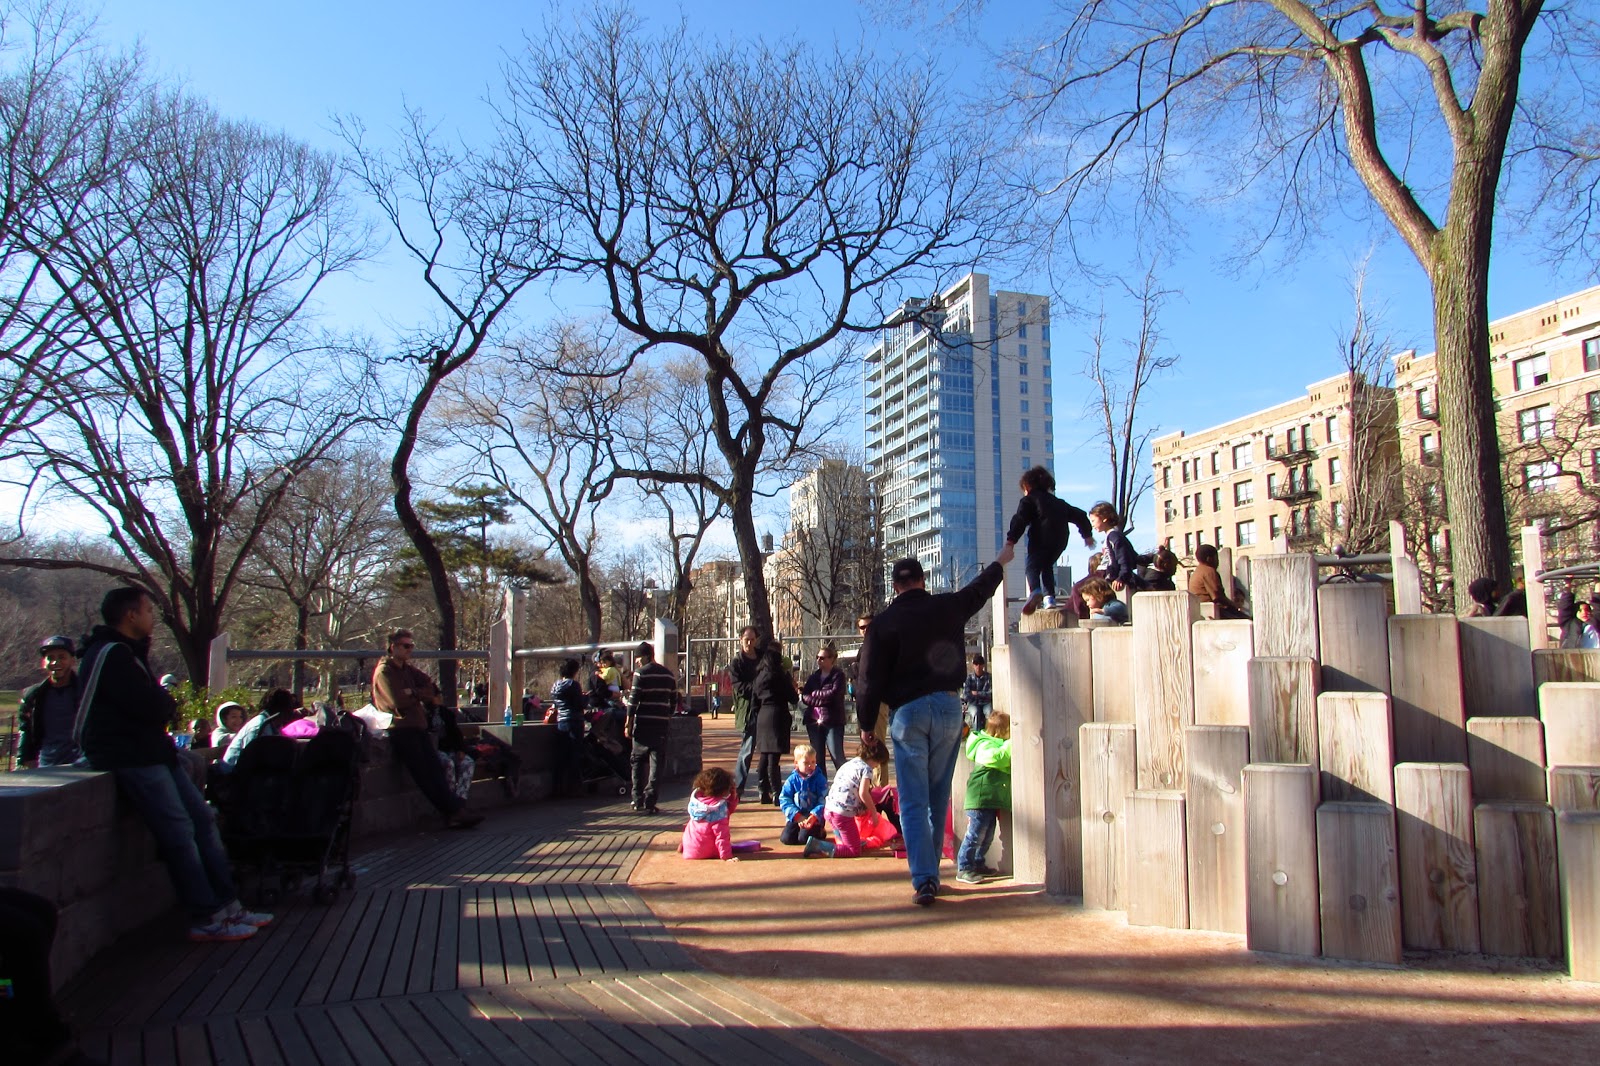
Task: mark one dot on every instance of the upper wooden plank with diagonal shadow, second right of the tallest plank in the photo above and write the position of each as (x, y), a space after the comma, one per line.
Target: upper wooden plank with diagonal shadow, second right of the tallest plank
(1425, 671)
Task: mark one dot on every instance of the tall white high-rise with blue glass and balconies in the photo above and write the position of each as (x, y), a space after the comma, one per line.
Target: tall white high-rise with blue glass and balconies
(959, 404)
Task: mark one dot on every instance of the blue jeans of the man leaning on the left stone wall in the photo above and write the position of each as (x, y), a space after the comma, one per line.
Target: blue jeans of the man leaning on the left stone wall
(185, 828)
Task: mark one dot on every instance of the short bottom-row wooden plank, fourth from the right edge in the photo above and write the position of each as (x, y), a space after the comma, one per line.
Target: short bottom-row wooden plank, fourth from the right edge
(1359, 883)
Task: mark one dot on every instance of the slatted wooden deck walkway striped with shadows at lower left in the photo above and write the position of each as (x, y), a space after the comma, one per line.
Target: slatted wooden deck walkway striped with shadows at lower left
(514, 944)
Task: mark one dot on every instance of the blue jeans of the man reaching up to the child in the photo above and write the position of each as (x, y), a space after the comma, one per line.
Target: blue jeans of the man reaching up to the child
(927, 734)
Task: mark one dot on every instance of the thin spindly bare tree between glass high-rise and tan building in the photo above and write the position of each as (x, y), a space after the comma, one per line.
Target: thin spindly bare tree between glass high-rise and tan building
(1119, 387)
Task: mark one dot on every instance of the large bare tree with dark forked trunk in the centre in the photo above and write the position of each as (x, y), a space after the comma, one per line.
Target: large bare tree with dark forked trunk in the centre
(756, 207)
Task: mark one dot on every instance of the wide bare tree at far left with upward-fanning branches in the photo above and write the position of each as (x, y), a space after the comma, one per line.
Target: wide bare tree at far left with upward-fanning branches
(185, 406)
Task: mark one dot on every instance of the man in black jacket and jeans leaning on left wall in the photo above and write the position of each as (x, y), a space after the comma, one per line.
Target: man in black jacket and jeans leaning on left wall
(122, 727)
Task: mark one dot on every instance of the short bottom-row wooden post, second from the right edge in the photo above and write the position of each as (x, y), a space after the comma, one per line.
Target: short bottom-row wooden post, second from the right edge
(1519, 886)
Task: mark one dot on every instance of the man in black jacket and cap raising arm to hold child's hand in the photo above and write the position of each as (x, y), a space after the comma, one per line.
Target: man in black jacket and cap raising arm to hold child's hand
(914, 660)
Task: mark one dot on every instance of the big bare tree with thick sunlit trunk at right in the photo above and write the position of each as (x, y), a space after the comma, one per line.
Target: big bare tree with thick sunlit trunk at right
(1423, 103)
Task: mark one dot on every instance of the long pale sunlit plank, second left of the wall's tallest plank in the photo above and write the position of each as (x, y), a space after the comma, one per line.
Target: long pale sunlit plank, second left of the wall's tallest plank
(1164, 686)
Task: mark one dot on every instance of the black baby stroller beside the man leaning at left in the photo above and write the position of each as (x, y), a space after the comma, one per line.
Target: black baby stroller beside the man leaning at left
(287, 809)
